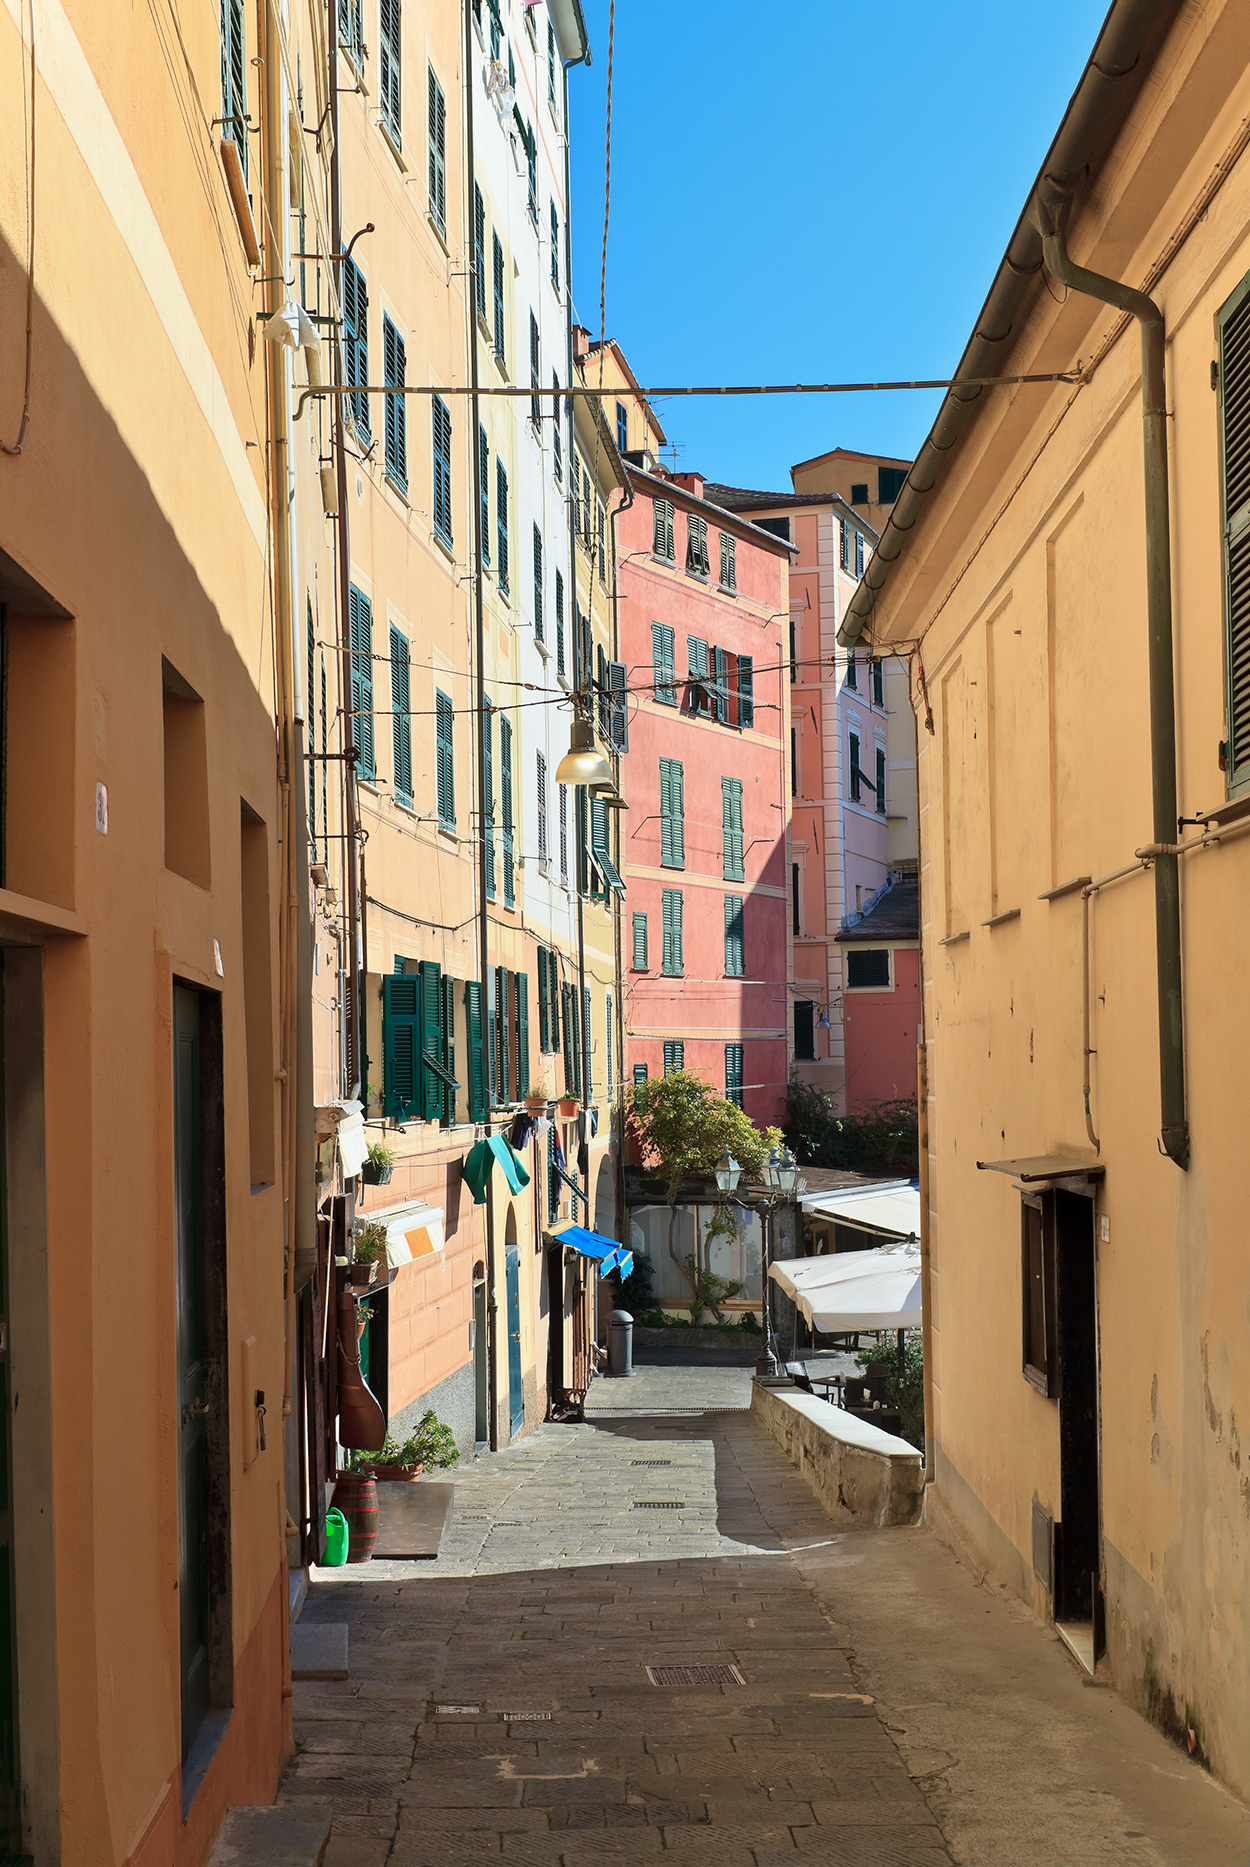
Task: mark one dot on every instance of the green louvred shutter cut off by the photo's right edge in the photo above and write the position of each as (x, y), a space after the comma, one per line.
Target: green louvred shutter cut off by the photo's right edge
(1234, 339)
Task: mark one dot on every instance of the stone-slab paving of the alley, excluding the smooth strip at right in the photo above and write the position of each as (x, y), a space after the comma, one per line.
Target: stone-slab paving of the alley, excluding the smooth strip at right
(499, 1704)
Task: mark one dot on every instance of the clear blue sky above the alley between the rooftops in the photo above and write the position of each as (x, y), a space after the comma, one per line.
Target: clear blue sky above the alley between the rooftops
(803, 197)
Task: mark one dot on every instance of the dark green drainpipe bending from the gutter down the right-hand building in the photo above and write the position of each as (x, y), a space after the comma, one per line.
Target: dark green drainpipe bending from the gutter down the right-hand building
(1053, 225)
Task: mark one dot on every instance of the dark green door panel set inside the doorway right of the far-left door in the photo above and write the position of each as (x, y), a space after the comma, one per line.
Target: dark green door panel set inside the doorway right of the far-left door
(193, 1452)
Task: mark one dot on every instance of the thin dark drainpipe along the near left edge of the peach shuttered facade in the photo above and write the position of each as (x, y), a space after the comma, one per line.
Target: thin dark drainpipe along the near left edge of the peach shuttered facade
(352, 895)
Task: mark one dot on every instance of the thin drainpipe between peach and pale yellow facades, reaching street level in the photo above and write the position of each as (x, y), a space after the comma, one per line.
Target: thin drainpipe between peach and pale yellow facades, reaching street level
(480, 705)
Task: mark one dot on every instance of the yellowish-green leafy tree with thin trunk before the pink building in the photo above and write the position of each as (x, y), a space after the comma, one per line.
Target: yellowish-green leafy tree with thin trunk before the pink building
(684, 1127)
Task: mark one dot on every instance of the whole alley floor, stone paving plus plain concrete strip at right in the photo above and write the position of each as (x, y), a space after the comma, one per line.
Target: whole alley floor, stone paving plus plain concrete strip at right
(861, 1700)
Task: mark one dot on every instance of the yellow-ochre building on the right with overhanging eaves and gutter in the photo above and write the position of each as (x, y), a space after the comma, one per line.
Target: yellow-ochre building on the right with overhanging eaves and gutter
(1081, 718)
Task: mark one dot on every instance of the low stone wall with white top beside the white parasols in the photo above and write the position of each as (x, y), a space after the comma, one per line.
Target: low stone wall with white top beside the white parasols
(865, 1478)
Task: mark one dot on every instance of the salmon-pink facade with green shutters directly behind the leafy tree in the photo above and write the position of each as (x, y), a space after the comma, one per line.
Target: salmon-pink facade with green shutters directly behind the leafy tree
(704, 606)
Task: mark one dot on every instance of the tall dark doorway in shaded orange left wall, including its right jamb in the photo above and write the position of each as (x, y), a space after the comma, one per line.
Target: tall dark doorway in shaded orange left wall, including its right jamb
(206, 1648)
